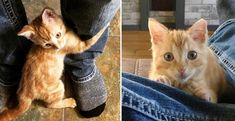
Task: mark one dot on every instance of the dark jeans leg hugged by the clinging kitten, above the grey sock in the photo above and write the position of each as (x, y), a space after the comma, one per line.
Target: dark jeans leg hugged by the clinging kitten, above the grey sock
(86, 18)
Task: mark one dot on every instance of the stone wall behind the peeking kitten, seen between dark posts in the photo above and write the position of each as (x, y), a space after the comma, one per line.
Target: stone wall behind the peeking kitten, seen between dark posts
(194, 10)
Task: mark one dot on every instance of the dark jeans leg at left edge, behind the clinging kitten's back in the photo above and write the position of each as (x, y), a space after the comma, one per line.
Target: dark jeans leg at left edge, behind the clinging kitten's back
(13, 49)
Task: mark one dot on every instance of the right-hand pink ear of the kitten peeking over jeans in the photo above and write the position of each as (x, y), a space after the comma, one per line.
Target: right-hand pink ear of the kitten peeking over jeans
(198, 31)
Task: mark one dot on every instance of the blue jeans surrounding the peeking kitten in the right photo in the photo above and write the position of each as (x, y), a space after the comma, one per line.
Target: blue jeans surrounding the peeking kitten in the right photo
(146, 100)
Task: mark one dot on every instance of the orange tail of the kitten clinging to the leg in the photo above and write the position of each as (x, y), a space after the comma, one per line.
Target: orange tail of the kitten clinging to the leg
(11, 114)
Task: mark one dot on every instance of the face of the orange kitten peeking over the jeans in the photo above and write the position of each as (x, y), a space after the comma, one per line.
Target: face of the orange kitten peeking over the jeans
(180, 55)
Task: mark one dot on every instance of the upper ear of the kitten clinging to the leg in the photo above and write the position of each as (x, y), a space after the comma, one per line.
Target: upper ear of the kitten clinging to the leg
(48, 15)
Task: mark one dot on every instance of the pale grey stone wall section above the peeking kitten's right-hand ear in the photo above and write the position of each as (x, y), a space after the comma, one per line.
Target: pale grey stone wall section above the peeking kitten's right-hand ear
(196, 9)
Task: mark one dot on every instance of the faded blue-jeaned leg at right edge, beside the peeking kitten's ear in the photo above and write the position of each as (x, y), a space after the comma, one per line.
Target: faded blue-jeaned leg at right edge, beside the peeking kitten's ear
(222, 41)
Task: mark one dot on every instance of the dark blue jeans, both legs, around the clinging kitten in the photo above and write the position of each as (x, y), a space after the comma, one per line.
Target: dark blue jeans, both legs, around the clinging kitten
(76, 14)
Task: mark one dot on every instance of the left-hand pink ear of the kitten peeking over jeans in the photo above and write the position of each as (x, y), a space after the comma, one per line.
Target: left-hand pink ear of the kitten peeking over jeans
(157, 31)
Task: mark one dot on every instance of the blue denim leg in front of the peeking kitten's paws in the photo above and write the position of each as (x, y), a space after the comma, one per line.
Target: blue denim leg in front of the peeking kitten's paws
(146, 100)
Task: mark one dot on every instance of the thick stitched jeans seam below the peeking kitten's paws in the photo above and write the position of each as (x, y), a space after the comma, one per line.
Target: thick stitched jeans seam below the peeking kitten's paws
(163, 113)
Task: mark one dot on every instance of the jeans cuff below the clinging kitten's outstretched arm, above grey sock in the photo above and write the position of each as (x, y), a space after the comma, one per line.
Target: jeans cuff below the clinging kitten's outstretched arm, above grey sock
(82, 65)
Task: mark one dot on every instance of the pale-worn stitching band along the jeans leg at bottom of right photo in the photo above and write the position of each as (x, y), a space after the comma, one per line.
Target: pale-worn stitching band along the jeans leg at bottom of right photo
(152, 110)
